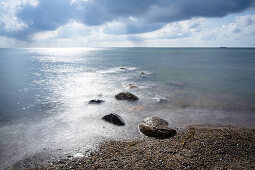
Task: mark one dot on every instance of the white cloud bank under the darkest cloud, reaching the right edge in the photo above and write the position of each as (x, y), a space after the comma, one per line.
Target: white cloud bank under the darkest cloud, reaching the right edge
(198, 33)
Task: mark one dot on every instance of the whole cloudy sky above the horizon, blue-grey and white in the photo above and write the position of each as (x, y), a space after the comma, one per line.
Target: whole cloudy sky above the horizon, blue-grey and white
(118, 23)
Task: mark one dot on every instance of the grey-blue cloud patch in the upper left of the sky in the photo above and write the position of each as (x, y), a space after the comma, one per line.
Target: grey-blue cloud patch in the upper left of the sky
(47, 15)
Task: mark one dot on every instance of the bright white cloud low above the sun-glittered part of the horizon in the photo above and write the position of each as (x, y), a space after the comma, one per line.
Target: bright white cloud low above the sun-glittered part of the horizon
(76, 34)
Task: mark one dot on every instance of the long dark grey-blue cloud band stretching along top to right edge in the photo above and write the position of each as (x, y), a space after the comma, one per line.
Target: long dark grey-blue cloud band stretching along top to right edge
(97, 12)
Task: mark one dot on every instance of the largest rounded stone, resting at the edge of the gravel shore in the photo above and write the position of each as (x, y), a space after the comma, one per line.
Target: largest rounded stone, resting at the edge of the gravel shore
(156, 127)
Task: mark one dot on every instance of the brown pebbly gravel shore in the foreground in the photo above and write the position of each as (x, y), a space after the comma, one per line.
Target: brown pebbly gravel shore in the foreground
(195, 147)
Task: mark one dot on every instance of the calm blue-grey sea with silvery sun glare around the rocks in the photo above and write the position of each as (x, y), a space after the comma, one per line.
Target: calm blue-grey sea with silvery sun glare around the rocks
(44, 93)
